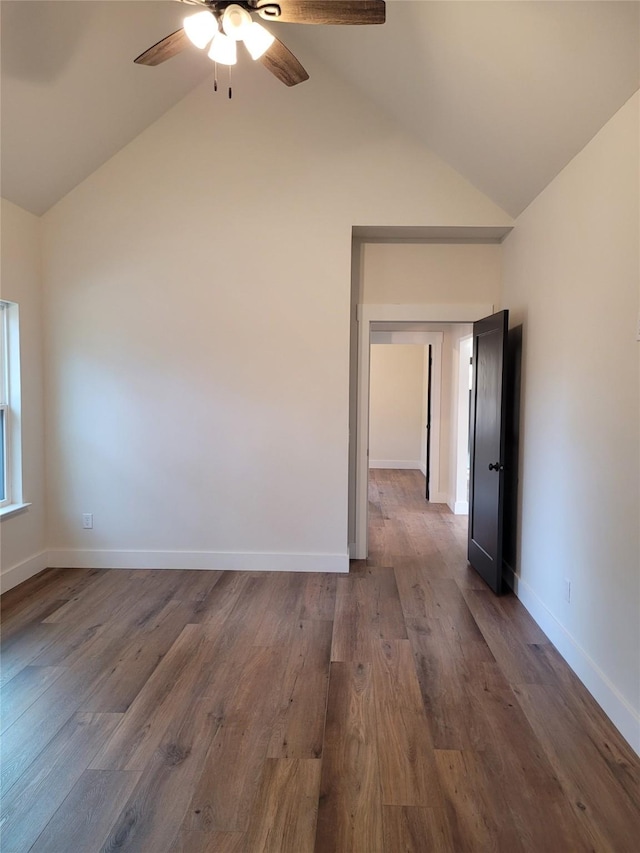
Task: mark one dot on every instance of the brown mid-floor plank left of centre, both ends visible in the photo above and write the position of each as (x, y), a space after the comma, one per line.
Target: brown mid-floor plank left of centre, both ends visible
(298, 729)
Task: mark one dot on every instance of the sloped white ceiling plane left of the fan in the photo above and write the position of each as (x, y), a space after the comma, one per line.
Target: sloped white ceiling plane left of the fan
(70, 96)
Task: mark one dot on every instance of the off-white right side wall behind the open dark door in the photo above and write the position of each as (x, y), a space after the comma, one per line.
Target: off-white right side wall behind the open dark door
(571, 278)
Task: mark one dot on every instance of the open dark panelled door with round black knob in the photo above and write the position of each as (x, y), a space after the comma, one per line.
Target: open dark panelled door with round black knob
(487, 444)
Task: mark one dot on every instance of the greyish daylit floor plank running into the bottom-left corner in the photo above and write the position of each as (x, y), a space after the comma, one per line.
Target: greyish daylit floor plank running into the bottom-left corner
(34, 799)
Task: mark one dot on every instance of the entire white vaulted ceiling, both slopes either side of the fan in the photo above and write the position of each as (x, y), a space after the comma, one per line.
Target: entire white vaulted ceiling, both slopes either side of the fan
(506, 92)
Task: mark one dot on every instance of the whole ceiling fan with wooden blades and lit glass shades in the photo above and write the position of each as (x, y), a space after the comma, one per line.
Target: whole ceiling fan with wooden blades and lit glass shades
(221, 24)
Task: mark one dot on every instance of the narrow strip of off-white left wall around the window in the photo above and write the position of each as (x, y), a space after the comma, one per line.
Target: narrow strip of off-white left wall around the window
(23, 535)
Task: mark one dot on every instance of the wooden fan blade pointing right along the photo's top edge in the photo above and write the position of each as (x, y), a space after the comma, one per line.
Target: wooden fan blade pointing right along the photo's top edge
(324, 11)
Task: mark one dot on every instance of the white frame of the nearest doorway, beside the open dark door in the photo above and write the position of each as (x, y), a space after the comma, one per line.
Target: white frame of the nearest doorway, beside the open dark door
(366, 315)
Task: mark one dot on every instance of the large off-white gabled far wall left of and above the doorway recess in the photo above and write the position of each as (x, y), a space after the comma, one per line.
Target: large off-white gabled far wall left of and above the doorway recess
(197, 294)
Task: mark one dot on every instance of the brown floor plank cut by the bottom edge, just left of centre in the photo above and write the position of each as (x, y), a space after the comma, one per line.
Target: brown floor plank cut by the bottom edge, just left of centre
(284, 818)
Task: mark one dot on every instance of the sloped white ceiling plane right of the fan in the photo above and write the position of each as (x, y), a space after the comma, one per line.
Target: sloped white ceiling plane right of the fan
(507, 93)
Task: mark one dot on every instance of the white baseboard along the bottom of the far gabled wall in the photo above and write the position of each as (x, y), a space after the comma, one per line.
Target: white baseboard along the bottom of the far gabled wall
(201, 560)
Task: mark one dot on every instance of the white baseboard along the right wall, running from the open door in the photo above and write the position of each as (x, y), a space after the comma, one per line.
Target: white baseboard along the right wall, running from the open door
(624, 717)
